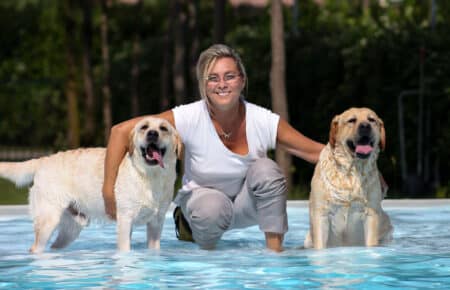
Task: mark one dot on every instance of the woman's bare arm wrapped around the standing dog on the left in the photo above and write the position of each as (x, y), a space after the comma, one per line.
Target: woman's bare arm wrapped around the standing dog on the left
(115, 151)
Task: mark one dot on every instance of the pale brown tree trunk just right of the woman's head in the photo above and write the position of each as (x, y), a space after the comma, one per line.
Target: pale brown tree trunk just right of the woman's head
(277, 81)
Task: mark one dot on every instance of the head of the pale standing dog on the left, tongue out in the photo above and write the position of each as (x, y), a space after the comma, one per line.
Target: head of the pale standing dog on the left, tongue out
(156, 141)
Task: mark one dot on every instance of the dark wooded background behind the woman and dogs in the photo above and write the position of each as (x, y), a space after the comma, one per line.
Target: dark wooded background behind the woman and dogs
(70, 69)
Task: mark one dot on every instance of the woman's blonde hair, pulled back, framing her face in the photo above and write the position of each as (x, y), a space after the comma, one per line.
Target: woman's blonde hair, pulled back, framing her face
(208, 58)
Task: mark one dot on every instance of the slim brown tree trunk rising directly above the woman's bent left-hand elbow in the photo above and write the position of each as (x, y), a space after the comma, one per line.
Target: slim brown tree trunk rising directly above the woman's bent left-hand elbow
(106, 90)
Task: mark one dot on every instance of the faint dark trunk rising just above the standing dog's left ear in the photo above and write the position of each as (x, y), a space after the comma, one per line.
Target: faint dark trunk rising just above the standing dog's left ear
(135, 70)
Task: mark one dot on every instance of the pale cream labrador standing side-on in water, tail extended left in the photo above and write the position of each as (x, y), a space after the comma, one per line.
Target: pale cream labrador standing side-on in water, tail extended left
(66, 190)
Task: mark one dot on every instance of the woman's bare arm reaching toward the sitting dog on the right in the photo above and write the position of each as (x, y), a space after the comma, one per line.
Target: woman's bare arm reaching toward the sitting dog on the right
(296, 143)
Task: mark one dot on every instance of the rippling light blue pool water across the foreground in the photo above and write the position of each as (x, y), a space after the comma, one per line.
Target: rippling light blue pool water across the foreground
(419, 258)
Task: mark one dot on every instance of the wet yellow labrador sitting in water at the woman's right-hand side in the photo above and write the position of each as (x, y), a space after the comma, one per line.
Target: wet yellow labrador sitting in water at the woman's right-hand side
(345, 200)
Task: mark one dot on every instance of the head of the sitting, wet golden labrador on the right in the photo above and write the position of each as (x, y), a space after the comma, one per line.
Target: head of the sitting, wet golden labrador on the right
(359, 130)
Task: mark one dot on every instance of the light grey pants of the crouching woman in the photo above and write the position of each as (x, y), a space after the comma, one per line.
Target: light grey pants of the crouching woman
(262, 201)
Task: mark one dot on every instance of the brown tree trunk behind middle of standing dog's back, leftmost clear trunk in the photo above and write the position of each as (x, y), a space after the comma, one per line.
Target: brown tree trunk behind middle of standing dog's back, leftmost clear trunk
(73, 133)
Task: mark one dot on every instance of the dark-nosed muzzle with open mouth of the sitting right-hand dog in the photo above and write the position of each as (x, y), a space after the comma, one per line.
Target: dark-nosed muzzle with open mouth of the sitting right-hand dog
(363, 144)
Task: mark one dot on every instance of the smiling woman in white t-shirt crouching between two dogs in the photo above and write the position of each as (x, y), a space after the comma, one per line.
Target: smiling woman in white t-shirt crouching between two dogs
(228, 180)
